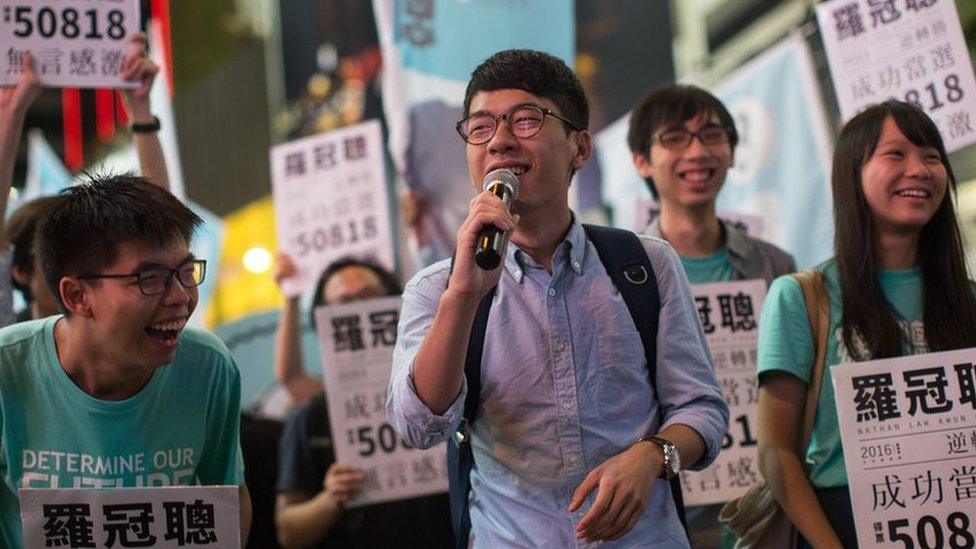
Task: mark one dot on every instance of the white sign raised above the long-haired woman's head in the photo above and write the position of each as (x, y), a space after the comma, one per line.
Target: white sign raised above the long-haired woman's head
(912, 50)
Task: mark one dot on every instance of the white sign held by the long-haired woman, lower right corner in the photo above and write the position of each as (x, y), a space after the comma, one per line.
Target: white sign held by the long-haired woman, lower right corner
(908, 428)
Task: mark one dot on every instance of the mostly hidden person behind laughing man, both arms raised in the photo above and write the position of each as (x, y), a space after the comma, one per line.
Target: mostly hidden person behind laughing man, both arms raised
(20, 228)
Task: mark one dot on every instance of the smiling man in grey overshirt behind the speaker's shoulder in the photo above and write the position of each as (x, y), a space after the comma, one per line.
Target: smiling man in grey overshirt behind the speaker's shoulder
(683, 140)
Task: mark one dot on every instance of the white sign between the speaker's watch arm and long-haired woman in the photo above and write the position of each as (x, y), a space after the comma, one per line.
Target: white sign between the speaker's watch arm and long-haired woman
(729, 313)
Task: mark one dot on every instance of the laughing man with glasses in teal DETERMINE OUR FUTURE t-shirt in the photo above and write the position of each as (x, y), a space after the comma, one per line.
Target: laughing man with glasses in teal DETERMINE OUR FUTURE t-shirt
(118, 377)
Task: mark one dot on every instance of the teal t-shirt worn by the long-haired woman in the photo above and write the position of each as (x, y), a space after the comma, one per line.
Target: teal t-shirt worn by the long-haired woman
(786, 344)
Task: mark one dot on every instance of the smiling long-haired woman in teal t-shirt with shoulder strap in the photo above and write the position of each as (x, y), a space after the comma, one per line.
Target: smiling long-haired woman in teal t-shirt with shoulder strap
(898, 286)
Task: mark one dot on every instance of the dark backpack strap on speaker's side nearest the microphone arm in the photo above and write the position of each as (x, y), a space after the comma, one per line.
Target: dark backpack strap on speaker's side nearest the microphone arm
(460, 458)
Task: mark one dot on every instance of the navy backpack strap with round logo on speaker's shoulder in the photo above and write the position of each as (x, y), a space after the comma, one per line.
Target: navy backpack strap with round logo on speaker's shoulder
(626, 261)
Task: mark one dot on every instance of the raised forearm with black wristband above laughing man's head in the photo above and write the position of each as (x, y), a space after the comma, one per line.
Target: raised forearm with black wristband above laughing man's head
(139, 68)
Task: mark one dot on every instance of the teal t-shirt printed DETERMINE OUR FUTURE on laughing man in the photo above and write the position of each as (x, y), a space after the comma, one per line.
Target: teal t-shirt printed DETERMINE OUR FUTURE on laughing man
(182, 428)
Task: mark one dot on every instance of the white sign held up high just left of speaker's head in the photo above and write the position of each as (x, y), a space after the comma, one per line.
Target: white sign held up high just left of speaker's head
(331, 201)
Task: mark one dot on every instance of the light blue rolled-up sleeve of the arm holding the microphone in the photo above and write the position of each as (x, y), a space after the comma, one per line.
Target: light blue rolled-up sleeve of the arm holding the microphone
(408, 415)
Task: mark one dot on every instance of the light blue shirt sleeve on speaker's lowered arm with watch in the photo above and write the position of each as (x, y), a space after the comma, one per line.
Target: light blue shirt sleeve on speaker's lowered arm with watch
(687, 386)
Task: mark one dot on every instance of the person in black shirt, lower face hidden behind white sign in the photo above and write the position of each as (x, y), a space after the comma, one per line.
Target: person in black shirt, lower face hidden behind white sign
(312, 486)
